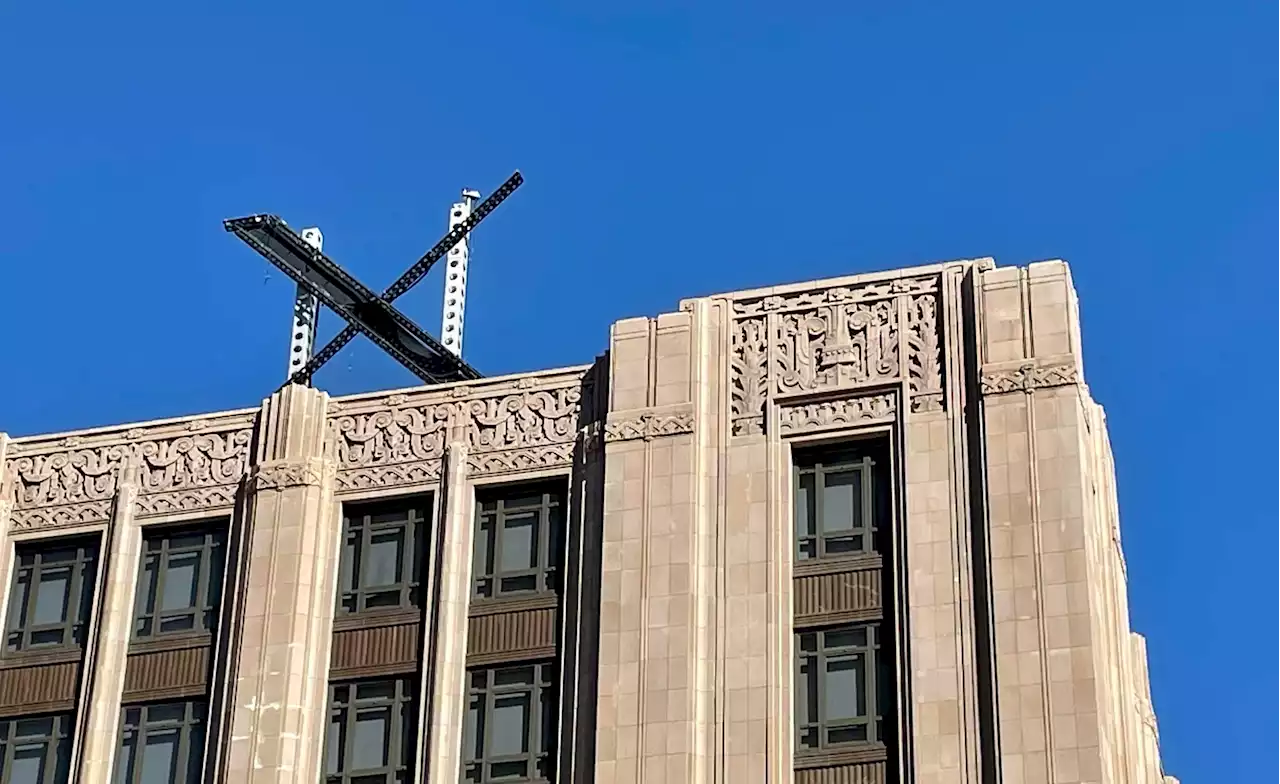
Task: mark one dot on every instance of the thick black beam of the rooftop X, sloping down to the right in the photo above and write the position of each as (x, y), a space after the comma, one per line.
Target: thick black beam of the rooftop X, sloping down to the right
(368, 313)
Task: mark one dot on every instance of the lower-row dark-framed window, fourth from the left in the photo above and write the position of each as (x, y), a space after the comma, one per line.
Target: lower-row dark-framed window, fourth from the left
(510, 732)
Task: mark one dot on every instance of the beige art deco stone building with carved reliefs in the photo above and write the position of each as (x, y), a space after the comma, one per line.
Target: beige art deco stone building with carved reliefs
(844, 532)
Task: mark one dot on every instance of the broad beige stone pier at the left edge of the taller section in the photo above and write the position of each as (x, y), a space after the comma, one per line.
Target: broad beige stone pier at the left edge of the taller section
(656, 676)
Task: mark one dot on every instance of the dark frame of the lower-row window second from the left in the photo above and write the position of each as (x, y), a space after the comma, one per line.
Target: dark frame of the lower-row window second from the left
(135, 733)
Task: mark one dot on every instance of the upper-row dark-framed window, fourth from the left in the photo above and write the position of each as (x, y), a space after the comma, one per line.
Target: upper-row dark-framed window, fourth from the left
(518, 543)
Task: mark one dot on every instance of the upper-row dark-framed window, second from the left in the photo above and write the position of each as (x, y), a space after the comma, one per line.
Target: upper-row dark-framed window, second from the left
(181, 582)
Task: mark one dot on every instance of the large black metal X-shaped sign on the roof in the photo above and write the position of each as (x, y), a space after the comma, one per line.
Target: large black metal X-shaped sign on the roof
(364, 311)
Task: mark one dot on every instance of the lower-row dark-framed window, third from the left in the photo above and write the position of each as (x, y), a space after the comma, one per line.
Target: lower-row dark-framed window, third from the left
(372, 739)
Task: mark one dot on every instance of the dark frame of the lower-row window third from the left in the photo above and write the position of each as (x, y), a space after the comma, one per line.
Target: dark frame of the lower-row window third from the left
(401, 742)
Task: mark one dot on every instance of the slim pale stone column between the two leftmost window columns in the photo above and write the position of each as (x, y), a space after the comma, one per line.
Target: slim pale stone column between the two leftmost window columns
(109, 660)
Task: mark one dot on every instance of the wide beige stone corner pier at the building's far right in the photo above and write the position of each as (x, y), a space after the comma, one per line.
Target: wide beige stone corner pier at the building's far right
(1062, 621)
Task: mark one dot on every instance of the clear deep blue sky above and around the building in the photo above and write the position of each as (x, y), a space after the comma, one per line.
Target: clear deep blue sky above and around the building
(673, 153)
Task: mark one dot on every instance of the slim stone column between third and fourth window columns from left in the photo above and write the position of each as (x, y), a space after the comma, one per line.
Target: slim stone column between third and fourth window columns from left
(449, 669)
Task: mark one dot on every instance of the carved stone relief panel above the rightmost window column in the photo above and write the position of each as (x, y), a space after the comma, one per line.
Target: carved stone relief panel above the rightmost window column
(843, 338)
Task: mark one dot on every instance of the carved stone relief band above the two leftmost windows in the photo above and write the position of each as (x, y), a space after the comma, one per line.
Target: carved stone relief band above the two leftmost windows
(193, 466)
